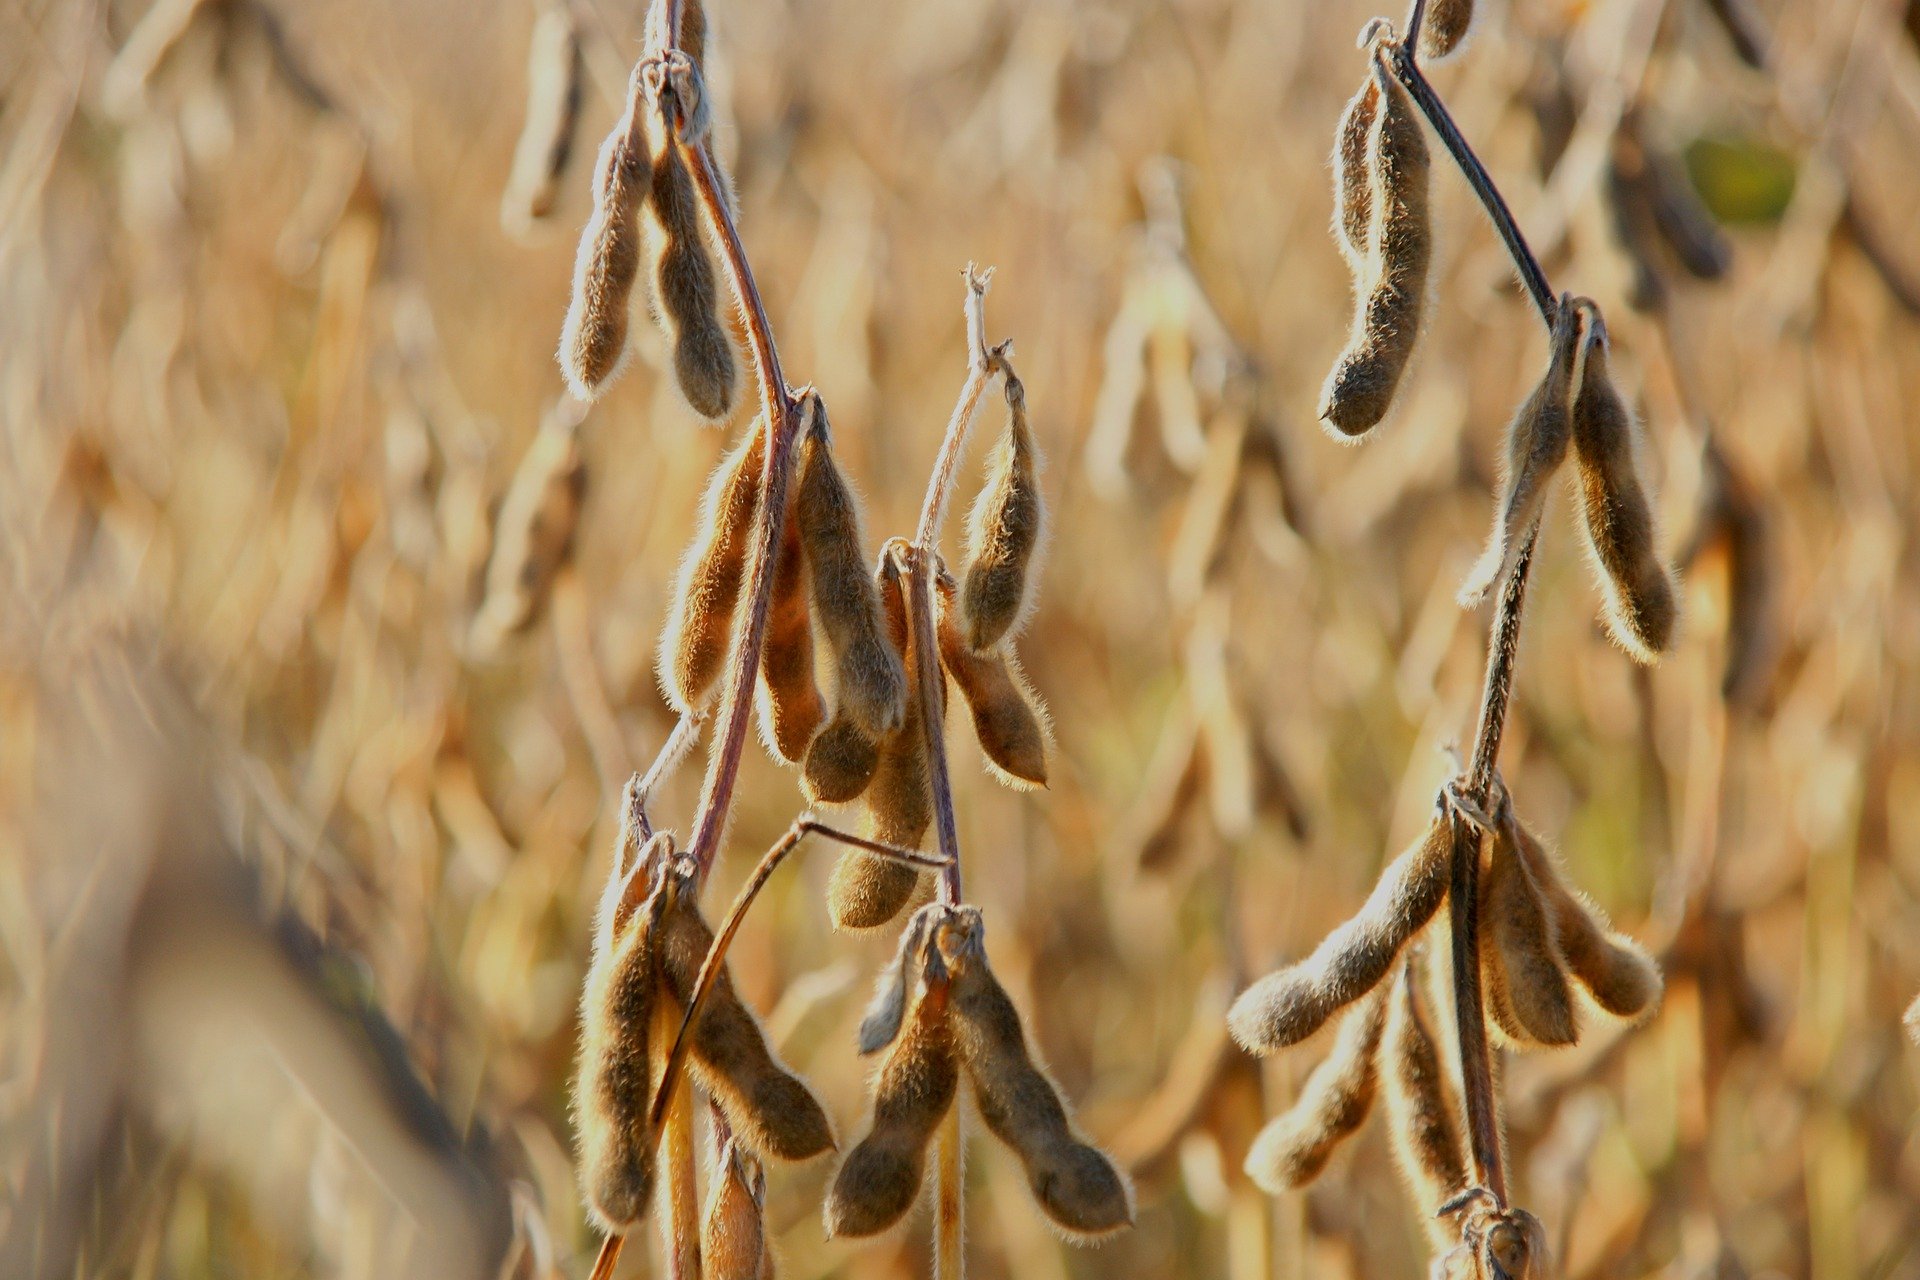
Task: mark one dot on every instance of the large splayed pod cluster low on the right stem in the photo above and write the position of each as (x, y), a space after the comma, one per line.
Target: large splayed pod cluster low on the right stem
(1547, 953)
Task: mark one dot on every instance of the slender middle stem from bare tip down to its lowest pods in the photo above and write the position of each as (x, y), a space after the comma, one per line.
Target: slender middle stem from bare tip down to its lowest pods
(924, 563)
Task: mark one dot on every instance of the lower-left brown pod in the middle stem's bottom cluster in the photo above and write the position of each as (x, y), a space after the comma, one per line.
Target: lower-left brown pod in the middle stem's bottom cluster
(917, 1087)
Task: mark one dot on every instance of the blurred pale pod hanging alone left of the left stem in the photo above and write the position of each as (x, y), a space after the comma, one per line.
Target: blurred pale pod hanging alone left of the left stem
(535, 533)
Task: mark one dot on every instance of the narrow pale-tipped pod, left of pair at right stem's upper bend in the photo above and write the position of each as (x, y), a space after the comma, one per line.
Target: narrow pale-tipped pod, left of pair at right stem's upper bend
(1537, 444)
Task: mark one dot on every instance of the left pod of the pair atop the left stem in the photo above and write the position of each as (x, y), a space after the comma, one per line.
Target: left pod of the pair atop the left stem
(608, 262)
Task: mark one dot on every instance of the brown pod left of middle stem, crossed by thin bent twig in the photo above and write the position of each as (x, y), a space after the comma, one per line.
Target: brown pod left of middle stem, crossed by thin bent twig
(867, 891)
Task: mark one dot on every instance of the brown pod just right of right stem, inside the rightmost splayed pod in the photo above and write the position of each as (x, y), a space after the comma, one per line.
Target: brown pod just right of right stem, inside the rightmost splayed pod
(1524, 970)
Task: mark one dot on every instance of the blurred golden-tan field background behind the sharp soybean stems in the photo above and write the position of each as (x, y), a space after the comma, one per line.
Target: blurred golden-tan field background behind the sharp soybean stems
(299, 861)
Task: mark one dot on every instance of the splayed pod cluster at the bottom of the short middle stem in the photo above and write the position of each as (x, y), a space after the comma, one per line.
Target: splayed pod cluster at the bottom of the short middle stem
(940, 1014)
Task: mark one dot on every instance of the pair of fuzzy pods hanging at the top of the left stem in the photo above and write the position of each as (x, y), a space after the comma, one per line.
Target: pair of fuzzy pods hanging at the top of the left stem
(648, 210)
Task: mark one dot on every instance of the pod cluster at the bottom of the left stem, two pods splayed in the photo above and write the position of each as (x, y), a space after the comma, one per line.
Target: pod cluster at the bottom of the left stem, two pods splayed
(648, 953)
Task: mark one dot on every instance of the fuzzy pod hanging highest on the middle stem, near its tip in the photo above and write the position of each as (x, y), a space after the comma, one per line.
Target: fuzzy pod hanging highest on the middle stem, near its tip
(1005, 533)
